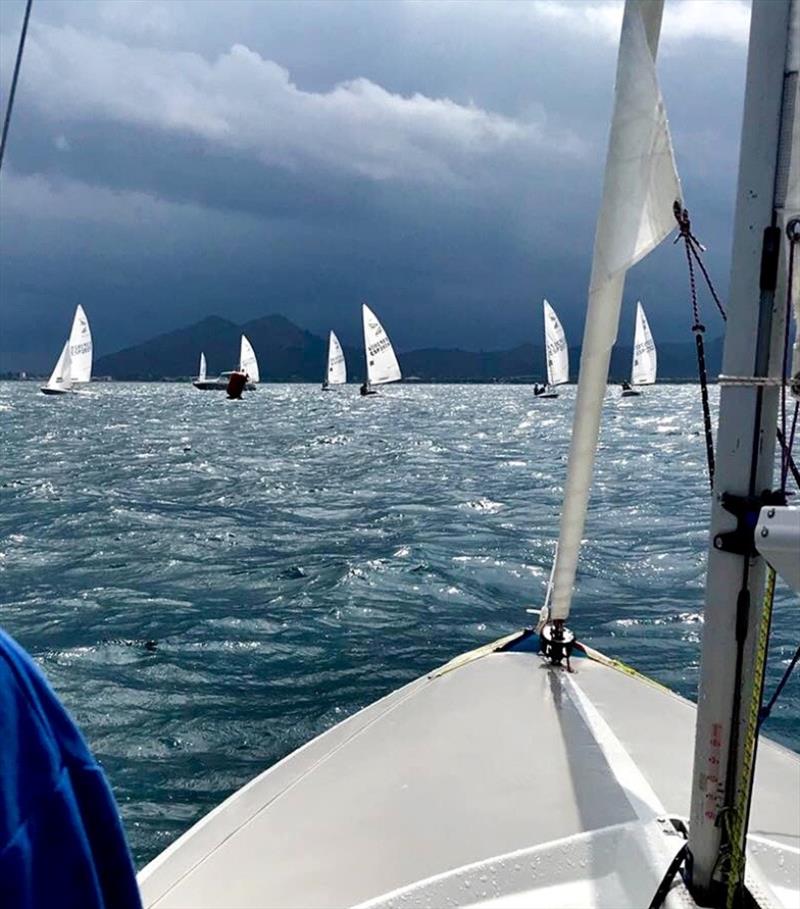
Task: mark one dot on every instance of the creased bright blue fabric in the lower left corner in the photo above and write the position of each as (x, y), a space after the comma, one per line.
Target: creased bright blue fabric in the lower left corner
(61, 839)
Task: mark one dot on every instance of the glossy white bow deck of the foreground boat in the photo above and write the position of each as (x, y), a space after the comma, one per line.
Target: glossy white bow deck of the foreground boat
(500, 755)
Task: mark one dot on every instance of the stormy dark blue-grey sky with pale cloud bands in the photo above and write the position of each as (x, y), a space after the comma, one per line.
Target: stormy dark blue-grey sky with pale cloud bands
(170, 159)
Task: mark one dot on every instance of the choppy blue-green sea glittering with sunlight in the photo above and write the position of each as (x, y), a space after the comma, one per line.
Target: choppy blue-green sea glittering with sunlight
(298, 554)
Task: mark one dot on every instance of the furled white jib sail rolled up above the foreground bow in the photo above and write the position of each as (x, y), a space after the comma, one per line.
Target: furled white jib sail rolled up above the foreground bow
(640, 188)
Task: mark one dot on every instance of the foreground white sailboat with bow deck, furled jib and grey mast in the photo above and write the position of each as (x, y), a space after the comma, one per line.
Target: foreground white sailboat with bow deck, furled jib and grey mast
(500, 780)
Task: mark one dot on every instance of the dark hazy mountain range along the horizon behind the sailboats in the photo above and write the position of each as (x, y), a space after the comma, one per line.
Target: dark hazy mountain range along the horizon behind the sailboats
(288, 353)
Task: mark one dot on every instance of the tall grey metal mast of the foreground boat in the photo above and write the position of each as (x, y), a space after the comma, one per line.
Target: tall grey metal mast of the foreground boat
(745, 442)
